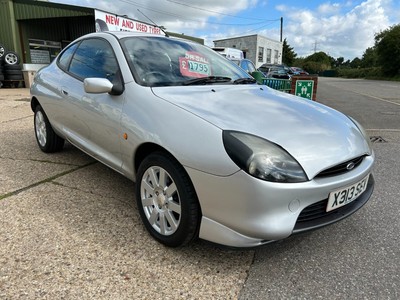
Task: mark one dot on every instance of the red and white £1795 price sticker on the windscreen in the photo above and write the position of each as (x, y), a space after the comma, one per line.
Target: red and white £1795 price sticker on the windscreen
(194, 65)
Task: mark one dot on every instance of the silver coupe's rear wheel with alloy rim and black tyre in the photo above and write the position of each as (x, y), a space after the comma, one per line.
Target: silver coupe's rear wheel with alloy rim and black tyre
(46, 138)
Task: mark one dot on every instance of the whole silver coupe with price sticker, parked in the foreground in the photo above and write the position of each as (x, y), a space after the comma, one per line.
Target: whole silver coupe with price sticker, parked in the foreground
(213, 154)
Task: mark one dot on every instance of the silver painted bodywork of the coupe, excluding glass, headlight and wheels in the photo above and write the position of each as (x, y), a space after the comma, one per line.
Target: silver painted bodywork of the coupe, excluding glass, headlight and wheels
(187, 121)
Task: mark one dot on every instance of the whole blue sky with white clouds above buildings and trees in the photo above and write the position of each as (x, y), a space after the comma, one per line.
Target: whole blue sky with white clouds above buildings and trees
(339, 28)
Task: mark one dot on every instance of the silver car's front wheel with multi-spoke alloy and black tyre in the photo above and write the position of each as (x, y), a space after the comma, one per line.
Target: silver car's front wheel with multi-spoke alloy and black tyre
(167, 201)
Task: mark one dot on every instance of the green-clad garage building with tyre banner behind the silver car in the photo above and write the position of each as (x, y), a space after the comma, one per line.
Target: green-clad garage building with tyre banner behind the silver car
(38, 30)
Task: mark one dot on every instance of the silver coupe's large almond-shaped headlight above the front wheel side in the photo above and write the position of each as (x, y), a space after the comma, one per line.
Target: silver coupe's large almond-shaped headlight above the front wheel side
(262, 159)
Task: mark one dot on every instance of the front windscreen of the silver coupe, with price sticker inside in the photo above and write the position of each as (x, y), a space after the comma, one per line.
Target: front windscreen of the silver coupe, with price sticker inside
(162, 61)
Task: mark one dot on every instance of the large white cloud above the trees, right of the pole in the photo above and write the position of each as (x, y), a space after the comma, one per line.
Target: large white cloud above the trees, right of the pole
(335, 29)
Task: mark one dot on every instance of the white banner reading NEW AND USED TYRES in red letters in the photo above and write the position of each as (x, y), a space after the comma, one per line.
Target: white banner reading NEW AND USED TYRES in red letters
(110, 22)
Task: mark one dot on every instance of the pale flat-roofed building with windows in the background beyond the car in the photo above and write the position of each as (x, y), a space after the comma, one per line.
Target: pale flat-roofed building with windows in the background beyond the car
(257, 48)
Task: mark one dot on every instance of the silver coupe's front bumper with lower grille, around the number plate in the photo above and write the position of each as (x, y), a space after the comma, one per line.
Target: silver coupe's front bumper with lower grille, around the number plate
(243, 211)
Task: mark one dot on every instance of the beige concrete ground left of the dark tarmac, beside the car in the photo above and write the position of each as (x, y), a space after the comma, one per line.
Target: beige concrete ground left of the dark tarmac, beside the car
(69, 229)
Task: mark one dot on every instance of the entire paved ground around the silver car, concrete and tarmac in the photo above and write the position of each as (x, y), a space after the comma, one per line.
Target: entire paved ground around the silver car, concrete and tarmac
(69, 226)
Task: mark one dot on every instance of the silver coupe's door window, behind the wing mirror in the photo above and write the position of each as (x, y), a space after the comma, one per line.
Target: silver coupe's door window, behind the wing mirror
(94, 58)
